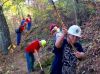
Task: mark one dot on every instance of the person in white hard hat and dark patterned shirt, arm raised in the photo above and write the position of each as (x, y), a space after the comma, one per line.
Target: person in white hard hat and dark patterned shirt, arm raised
(70, 57)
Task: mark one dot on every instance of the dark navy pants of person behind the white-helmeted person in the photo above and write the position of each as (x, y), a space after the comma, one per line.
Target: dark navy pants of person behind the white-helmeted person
(56, 67)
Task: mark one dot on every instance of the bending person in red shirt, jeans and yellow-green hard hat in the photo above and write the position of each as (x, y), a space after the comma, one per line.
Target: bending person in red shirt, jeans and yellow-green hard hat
(30, 50)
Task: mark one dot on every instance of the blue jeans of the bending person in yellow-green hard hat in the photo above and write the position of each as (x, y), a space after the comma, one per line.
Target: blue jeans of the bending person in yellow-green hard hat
(30, 61)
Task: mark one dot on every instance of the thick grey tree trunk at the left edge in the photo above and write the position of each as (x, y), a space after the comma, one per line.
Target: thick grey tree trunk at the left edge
(5, 40)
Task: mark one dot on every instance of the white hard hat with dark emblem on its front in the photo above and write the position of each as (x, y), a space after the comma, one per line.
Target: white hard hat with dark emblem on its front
(75, 30)
